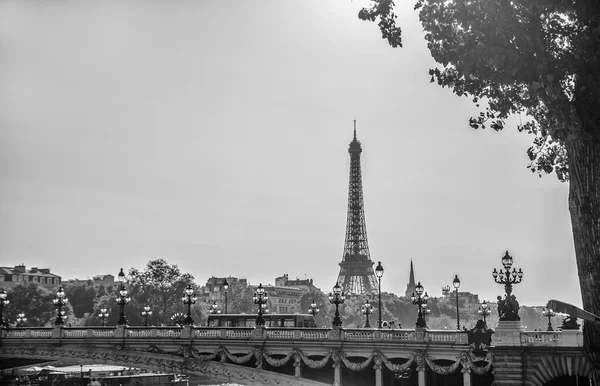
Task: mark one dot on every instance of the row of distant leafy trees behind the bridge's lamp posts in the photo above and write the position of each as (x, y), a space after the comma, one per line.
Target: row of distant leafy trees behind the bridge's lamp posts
(161, 286)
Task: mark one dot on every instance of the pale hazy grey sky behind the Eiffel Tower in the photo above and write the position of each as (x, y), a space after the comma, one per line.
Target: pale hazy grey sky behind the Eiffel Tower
(214, 134)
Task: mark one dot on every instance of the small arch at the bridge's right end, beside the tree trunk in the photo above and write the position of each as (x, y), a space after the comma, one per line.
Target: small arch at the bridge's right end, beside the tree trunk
(548, 368)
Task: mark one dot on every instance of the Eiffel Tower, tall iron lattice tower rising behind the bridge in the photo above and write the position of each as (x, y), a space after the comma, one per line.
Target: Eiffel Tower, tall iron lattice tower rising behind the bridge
(356, 269)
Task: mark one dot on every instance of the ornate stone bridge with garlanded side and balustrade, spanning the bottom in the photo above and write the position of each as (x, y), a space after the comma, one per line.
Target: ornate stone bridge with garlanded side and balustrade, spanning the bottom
(305, 356)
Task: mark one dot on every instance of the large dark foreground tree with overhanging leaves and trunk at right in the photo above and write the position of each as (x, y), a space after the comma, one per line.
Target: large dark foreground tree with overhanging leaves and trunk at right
(540, 59)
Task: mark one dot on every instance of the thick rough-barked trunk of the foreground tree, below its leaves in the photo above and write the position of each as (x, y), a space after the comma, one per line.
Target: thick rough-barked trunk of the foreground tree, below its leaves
(584, 206)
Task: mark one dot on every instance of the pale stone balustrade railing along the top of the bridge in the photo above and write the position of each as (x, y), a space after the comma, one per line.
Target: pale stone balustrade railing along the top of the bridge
(516, 337)
